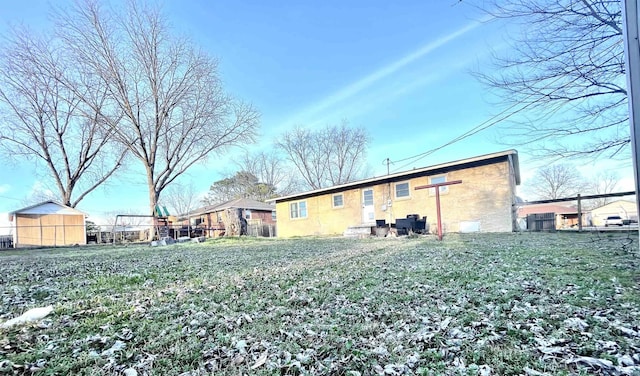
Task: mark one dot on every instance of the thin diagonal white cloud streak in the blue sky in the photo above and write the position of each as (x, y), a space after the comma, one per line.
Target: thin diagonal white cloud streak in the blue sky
(358, 86)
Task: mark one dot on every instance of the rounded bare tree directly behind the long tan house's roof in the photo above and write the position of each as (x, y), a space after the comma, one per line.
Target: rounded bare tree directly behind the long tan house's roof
(330, 156)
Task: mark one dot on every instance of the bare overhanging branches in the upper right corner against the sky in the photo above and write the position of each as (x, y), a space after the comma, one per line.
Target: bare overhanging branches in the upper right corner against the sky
(565, 72)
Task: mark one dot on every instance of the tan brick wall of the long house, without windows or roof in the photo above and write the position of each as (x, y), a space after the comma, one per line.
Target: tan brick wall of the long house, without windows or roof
(486, 196)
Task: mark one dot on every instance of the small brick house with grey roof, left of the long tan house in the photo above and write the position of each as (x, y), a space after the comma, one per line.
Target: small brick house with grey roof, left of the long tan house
(212, 218)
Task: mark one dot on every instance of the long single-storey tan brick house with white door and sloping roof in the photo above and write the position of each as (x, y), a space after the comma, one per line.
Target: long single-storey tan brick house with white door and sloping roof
(485, 201)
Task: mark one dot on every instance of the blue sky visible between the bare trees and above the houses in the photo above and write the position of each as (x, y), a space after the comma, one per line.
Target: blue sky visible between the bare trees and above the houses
(399, 69)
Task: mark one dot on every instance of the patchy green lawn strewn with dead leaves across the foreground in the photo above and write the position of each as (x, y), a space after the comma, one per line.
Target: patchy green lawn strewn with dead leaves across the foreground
(509, 304)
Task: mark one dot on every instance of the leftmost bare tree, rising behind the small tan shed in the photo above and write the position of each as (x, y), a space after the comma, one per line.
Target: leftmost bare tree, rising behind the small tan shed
(46, 121)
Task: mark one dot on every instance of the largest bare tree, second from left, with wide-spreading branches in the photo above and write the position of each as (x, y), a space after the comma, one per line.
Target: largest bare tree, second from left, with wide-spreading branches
(175, 111)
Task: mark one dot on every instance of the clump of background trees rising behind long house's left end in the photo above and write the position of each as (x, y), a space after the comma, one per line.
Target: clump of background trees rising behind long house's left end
(302, 159)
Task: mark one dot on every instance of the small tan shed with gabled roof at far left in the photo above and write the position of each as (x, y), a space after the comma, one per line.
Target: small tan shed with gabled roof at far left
(48, 224)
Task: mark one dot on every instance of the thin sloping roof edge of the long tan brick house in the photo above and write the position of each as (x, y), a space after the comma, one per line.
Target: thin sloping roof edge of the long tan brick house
(511, 155)
